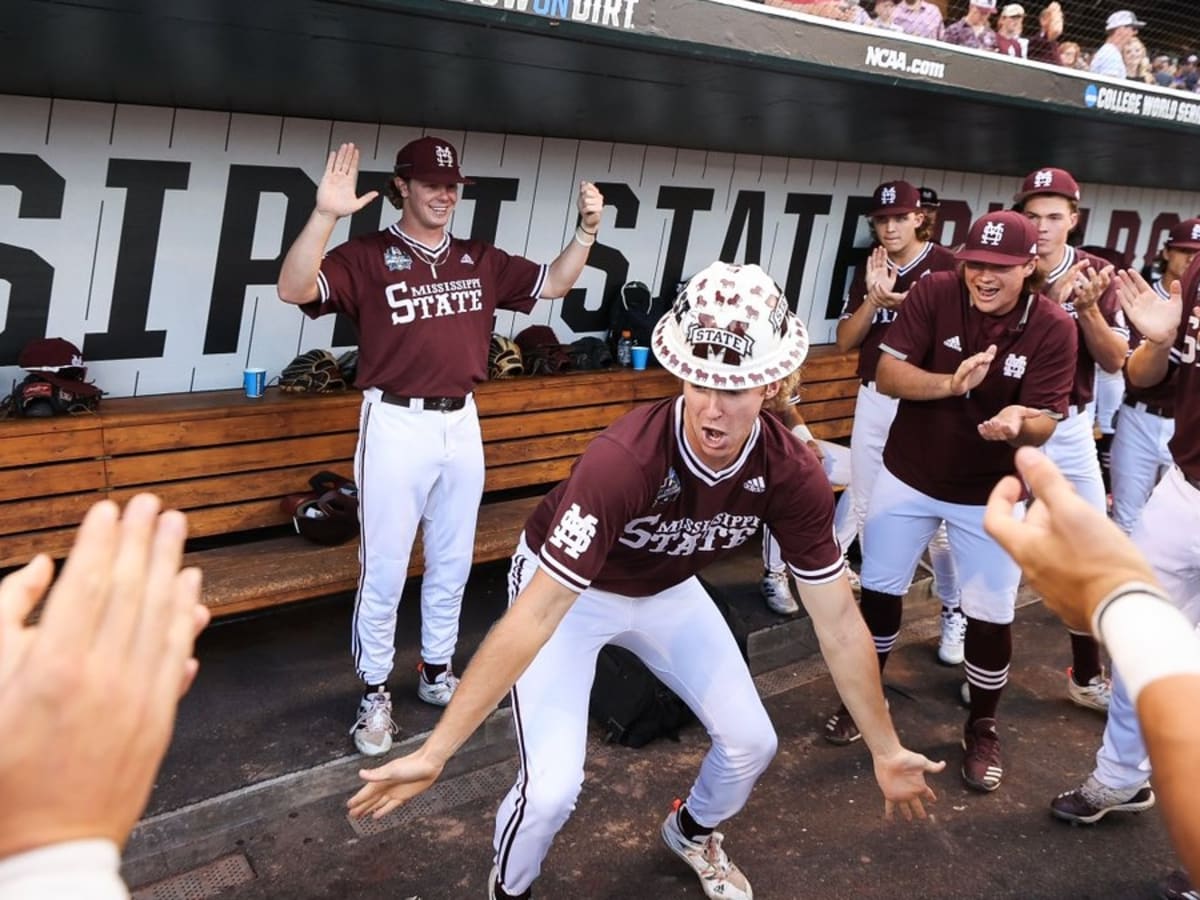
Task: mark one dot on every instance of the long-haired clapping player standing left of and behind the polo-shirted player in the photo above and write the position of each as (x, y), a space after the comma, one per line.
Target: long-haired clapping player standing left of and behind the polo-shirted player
(904, 255)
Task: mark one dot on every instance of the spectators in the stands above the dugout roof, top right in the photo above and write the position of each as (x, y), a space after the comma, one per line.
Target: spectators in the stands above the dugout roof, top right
(989, 26)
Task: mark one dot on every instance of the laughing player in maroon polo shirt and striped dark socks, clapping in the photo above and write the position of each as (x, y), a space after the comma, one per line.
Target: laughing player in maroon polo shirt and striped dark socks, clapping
(982, 363)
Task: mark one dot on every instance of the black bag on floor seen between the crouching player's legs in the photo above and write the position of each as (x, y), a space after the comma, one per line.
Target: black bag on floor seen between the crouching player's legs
(632, 705)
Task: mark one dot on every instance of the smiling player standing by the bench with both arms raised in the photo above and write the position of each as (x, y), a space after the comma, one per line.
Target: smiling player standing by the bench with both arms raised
(424, 304)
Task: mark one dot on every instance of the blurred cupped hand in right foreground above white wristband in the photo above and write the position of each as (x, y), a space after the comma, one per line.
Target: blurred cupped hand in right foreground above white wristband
(1071, 554)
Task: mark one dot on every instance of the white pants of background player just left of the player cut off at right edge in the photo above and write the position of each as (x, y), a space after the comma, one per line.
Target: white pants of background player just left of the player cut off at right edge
(1141, 458)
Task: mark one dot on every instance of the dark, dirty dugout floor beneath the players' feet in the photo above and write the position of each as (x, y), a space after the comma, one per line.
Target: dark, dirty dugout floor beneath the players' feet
(251, 801)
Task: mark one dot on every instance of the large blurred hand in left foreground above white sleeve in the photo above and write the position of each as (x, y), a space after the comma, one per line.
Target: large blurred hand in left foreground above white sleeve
(101, 675)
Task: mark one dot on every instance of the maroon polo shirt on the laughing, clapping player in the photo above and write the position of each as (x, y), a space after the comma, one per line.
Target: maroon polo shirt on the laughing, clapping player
(934, 446)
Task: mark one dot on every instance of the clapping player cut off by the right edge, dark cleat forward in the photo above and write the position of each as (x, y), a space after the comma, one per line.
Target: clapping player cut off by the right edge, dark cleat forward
(1166, 535)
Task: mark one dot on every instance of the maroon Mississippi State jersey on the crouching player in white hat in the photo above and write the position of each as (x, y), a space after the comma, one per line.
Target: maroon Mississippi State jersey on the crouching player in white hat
(641, 512)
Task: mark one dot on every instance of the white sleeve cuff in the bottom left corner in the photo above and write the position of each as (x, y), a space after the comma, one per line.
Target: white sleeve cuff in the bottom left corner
(64, 872)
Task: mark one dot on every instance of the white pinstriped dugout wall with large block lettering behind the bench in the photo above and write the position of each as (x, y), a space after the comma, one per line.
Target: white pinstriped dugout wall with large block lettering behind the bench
(152, 238)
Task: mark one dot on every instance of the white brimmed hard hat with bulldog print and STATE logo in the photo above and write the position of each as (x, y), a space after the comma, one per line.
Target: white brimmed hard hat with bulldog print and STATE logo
(730, 328)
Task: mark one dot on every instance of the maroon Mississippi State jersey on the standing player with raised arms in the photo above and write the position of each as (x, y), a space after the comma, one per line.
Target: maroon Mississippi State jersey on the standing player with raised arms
(424, 314)
